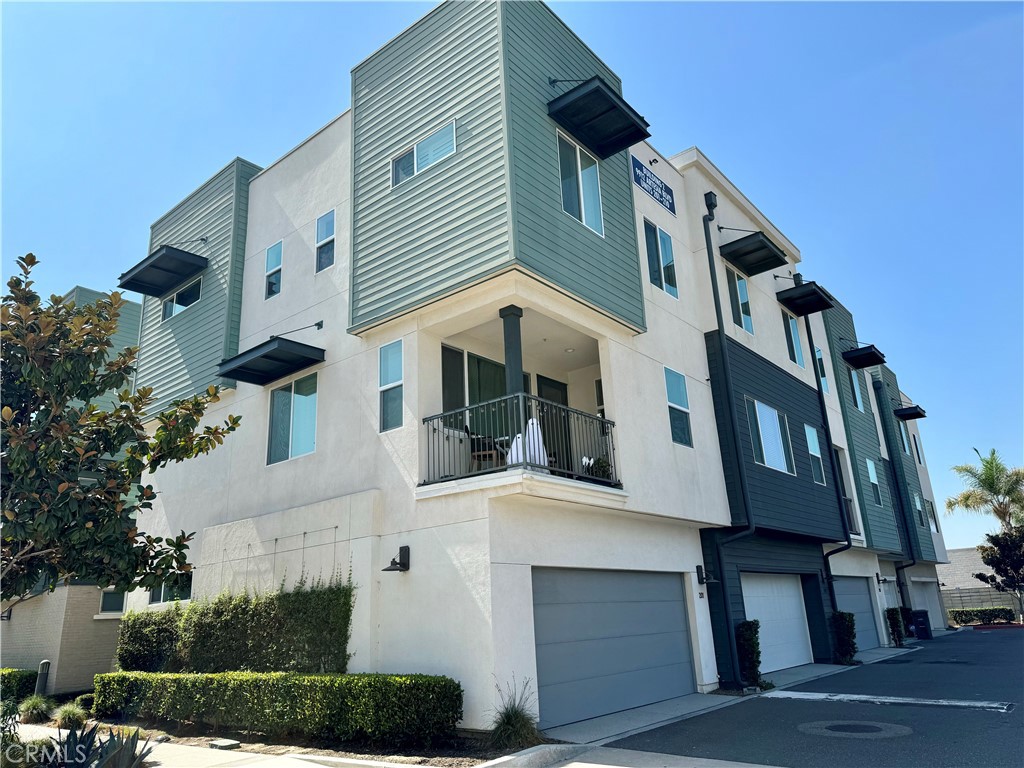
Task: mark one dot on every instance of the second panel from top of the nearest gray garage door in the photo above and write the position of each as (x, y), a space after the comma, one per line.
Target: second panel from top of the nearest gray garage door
(564, 623)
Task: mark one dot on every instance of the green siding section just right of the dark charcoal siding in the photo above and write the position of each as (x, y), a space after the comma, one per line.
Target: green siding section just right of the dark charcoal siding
(881, 531)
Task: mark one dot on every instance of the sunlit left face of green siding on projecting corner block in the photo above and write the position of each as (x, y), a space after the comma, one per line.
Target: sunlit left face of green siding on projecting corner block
(448, 226)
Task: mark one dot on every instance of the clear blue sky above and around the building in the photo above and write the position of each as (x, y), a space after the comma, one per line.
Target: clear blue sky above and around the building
(885, 140)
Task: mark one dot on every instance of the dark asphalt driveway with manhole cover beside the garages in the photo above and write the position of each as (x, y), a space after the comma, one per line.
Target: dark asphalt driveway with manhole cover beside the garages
(965, 667)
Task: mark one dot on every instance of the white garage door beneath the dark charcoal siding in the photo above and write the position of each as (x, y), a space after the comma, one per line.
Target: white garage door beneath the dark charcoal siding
(777, 601)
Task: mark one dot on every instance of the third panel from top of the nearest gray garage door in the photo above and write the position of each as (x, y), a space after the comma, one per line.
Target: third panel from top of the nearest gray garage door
(561, 663)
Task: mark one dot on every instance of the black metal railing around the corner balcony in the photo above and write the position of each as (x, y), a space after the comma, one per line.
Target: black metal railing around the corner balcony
(521, 431)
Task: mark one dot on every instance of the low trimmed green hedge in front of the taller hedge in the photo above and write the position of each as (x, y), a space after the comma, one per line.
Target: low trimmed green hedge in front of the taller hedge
(390, 710)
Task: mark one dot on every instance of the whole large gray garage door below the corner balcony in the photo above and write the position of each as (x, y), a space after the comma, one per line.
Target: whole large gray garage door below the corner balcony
(609, 641)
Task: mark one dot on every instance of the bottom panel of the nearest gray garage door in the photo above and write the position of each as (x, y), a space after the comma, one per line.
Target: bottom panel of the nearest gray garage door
(570, 703)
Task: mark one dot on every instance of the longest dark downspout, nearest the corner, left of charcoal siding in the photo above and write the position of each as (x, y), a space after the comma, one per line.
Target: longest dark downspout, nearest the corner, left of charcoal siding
(711, 203)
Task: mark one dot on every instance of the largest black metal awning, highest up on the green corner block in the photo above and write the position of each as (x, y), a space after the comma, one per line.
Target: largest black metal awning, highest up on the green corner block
(601, 118)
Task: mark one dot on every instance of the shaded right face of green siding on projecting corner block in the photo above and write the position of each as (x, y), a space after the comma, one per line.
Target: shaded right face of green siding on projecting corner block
(604, 272)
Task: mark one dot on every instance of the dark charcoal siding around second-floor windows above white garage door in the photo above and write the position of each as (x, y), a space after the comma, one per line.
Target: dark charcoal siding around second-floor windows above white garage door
(780, 501)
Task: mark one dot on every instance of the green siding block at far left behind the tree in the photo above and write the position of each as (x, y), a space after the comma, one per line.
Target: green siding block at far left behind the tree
(180, 358)
